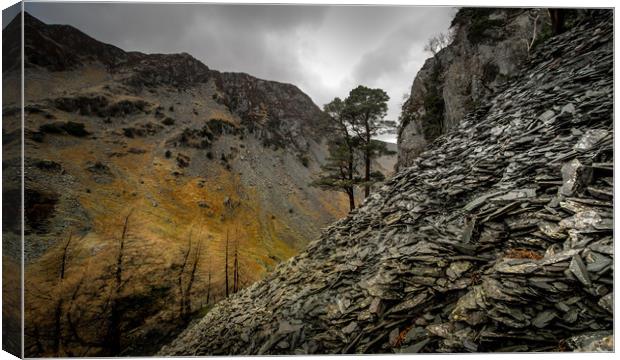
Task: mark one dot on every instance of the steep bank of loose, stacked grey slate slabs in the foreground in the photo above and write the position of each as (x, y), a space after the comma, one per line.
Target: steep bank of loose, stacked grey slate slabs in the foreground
(497, 238)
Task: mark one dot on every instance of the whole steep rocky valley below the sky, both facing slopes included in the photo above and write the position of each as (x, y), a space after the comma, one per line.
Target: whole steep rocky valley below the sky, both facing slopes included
(169, 211)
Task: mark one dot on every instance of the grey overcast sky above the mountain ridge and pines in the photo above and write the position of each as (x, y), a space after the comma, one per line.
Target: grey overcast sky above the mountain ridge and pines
(324, 50)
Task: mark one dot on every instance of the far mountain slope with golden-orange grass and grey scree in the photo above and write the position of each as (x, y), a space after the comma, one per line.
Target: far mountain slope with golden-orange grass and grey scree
(176, 161)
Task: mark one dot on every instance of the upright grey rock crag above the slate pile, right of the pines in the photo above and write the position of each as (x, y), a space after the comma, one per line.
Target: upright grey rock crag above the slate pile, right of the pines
(488, 46)
